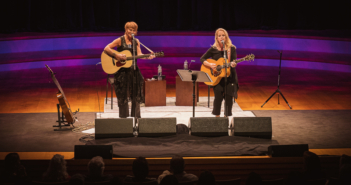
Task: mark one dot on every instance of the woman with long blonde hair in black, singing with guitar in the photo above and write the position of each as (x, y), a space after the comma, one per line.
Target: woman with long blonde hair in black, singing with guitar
(215, 52)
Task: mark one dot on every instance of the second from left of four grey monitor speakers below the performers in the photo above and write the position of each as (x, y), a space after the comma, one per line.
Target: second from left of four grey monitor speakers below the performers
(155, 127)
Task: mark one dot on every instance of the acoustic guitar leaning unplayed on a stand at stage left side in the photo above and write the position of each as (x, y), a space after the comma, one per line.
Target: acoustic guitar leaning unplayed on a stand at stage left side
(66, 108)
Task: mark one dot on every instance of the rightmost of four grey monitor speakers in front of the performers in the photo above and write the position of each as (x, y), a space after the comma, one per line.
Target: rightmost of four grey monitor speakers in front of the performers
(260, 127)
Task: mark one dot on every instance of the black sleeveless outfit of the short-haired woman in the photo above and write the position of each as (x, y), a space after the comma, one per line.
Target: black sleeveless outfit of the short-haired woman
(124, 85)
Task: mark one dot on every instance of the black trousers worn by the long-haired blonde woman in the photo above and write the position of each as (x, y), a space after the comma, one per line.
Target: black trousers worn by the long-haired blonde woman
(219, 97)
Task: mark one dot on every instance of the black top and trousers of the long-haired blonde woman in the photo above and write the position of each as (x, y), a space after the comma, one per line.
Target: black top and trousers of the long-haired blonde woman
(232, 81)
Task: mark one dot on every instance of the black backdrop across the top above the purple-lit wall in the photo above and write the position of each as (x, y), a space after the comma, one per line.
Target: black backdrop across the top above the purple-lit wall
(170, 15)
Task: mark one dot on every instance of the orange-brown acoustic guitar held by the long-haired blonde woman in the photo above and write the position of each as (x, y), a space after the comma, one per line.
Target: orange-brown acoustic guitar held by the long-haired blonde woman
(217, 74)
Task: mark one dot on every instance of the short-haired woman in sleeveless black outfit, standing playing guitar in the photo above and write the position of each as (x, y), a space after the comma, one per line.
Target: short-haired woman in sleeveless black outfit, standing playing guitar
(124, 77)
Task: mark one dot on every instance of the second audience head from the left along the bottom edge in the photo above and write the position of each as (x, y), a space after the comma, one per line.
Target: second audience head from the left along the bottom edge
(57, 171)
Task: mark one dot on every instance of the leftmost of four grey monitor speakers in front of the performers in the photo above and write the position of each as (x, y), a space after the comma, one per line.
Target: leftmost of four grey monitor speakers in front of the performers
(111, 128)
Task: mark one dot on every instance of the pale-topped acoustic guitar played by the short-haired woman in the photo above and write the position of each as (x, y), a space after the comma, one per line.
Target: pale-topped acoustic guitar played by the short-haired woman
(111, 65)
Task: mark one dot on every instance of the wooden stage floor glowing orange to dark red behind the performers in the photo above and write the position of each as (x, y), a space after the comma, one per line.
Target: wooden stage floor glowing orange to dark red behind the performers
(33, 91)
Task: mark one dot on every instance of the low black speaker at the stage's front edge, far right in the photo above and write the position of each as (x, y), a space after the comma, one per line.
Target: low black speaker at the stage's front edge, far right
(287, 150)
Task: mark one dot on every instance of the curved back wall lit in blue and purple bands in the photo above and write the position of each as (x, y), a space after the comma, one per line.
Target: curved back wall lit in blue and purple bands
(320, 54)
